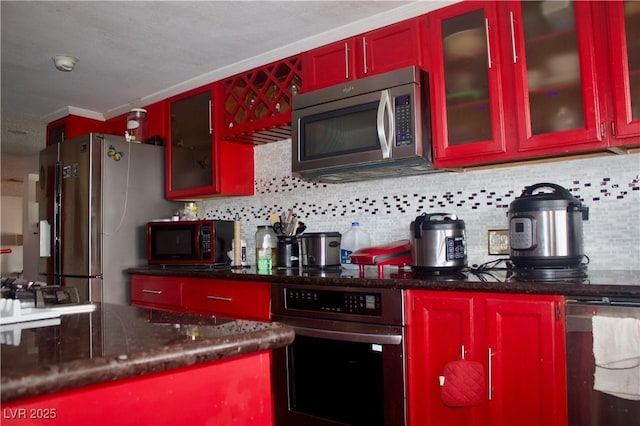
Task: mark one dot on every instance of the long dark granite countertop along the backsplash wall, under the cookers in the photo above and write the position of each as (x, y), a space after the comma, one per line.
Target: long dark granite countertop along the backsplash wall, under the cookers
(625, 284)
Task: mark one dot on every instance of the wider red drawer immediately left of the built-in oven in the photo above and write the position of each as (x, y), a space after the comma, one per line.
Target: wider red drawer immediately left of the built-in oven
(232, 299)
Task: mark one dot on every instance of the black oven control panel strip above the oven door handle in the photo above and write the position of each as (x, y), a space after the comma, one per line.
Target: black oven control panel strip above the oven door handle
(343, 302)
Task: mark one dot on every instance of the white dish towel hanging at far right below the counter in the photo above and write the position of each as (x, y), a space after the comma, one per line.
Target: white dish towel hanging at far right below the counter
(616, 349)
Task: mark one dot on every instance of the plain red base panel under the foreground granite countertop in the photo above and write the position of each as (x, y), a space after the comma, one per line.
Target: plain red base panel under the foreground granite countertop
(236, 391)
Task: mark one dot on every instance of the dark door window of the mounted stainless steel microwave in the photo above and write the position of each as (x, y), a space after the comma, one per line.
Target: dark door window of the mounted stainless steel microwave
(349, 130)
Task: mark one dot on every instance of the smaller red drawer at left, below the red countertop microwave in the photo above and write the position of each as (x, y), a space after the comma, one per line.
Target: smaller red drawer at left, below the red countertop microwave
(156, 292)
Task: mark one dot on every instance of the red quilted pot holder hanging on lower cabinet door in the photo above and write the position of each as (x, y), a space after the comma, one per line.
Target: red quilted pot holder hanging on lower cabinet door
(464, 384)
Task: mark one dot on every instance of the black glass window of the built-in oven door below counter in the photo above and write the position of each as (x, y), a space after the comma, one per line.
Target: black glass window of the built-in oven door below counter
(337, 380)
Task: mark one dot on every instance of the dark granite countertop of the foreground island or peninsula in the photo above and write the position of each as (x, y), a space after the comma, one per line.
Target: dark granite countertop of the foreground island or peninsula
(117, 342)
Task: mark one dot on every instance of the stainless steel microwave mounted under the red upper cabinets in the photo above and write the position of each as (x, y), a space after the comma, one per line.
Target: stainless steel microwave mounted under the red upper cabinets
(370, 128)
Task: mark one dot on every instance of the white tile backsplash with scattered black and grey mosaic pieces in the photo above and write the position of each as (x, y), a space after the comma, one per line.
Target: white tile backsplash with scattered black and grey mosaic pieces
(608, 185)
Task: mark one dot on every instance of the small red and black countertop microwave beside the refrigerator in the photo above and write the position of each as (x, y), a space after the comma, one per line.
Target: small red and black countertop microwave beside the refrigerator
(189, 242)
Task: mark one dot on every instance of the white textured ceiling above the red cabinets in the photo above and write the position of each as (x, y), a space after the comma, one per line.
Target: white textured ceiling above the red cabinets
(135, 52)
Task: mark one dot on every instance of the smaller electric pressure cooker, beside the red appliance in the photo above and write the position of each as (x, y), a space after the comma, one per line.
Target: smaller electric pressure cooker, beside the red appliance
(438, 243)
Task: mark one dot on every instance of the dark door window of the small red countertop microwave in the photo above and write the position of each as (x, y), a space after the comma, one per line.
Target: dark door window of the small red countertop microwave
(173, 242)
